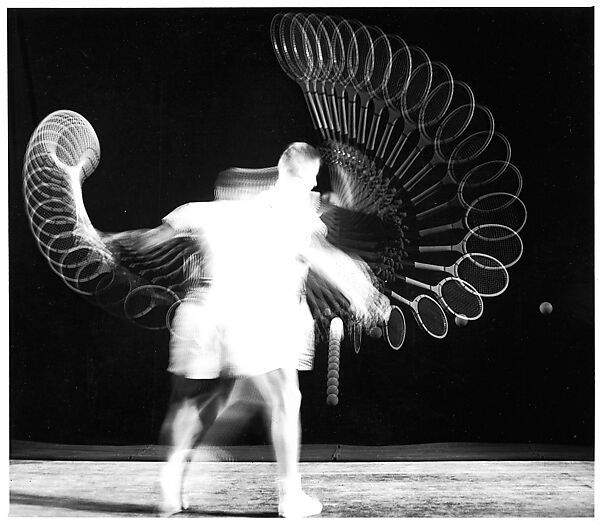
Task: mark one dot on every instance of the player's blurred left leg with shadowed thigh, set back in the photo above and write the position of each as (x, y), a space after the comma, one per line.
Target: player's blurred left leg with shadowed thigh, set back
(195, 404)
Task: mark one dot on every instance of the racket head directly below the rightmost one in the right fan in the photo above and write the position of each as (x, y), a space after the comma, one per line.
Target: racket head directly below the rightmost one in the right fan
(495, 240)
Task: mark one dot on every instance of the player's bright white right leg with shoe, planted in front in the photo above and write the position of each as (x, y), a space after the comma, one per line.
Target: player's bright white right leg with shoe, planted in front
(281, 392)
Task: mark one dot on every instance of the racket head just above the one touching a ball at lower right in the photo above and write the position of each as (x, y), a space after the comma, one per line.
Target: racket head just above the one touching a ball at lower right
(486, 274)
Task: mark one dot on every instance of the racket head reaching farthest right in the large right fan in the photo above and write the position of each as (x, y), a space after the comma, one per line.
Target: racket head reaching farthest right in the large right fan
(497, 208)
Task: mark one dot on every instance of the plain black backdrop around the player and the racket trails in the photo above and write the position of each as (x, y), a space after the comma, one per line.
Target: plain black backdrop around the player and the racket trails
(177, 95)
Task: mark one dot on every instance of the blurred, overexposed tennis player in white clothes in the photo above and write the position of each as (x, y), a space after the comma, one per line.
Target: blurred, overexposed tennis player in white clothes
(251, 321)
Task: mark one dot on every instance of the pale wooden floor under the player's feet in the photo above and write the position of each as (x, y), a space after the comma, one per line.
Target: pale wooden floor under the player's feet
(438, 488)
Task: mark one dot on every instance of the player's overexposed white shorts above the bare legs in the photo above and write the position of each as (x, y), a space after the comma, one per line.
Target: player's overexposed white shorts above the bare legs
(208, 341)
